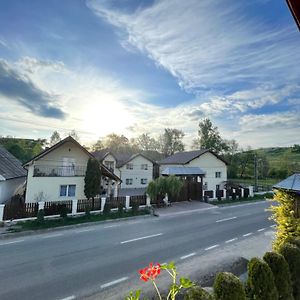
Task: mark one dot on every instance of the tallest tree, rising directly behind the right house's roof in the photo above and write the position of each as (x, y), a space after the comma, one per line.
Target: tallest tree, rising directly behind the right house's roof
(209, 137)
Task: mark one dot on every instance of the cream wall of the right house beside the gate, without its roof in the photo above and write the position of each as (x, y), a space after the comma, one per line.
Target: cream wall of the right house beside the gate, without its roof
(210, 164)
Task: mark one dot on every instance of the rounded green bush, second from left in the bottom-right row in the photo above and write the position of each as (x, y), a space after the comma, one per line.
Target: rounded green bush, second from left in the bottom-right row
(228, 287)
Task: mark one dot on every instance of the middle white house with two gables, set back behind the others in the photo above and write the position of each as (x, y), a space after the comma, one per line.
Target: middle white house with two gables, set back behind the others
(135, 171)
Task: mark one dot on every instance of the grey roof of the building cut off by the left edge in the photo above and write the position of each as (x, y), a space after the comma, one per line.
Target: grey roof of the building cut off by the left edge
(10, 167)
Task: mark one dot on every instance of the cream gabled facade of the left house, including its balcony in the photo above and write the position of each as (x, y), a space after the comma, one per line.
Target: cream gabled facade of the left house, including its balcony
(67, 160)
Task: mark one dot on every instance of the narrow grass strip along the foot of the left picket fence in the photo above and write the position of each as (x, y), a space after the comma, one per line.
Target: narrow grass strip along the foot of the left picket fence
(58, 222)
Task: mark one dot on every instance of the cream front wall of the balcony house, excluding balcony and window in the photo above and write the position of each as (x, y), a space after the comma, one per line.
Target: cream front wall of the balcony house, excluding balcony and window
(50, 186)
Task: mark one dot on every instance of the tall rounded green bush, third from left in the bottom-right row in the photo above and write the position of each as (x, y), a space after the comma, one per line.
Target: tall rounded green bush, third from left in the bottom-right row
(261, 283)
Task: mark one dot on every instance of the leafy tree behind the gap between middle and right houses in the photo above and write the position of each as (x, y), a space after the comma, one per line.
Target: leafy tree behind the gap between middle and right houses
(171, 141)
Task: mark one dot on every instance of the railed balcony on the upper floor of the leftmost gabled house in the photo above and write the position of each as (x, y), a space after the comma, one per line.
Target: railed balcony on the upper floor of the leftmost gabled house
(58, 171)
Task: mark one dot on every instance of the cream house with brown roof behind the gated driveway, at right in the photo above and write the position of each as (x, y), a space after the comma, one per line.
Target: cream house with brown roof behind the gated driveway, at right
(214, 167)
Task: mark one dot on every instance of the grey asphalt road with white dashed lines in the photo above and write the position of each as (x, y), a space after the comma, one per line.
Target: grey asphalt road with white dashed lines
(74, 263)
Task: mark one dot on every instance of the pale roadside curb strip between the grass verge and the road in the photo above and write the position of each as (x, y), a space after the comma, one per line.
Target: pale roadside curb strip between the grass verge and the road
(4, 236)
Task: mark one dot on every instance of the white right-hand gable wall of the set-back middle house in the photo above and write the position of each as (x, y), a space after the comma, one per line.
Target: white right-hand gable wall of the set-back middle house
(137, 177)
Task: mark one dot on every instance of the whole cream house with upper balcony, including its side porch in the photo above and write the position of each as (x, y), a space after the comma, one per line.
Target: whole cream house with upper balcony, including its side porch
(58, 173)
